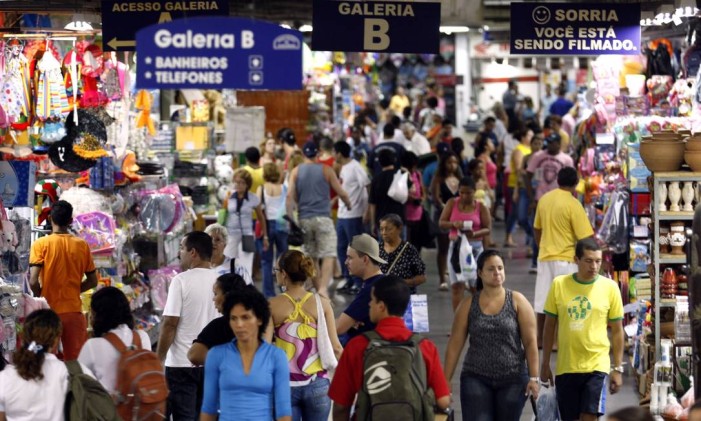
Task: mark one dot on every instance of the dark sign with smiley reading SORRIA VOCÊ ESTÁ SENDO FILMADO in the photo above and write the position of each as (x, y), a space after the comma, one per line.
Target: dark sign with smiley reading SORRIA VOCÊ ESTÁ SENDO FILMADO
(575, 28)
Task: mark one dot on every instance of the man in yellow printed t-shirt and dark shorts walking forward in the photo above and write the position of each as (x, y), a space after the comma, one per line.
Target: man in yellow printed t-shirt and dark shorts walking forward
(582, 305)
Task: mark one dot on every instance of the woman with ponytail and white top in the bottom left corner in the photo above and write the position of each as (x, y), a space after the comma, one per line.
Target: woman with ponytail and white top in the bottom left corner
(36, 373)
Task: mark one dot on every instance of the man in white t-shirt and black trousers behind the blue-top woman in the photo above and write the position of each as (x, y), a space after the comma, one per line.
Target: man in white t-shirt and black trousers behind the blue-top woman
(189, 308)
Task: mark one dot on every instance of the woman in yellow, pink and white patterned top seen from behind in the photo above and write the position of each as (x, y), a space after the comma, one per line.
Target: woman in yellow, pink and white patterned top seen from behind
(295, 319)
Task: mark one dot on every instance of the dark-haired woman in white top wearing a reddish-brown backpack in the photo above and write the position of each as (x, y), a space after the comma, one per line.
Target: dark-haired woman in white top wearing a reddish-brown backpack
(110, 314)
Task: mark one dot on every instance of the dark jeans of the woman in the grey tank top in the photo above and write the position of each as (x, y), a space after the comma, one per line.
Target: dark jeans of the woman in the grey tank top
(492, 400)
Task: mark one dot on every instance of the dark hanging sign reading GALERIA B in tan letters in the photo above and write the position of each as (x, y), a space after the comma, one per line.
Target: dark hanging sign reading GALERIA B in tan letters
(376, 26)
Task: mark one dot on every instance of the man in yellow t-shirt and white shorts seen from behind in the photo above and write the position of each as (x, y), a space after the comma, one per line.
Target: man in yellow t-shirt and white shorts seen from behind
(560, 221)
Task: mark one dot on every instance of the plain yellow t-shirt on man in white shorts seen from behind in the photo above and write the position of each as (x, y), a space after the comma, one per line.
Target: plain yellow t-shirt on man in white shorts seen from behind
(563, 222)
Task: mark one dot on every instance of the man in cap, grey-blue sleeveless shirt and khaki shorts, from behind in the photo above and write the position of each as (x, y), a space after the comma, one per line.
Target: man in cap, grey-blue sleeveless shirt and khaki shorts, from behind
(310, 184)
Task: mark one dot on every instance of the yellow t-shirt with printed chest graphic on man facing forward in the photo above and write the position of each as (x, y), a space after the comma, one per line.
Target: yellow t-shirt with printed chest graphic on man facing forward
(583, 311)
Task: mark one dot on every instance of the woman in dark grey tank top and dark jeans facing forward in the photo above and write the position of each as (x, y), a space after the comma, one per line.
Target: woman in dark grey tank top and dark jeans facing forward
(494, 385)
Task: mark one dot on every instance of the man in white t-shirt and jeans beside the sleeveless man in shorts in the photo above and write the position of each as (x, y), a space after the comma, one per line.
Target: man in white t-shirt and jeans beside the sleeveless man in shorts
(355, 182)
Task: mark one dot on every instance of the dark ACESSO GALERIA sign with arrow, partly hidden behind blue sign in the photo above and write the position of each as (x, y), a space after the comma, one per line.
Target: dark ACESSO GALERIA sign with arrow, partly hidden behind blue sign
(122, 19)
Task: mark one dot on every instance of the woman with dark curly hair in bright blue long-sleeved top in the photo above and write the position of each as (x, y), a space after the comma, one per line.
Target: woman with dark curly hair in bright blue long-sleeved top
(247, 378)
